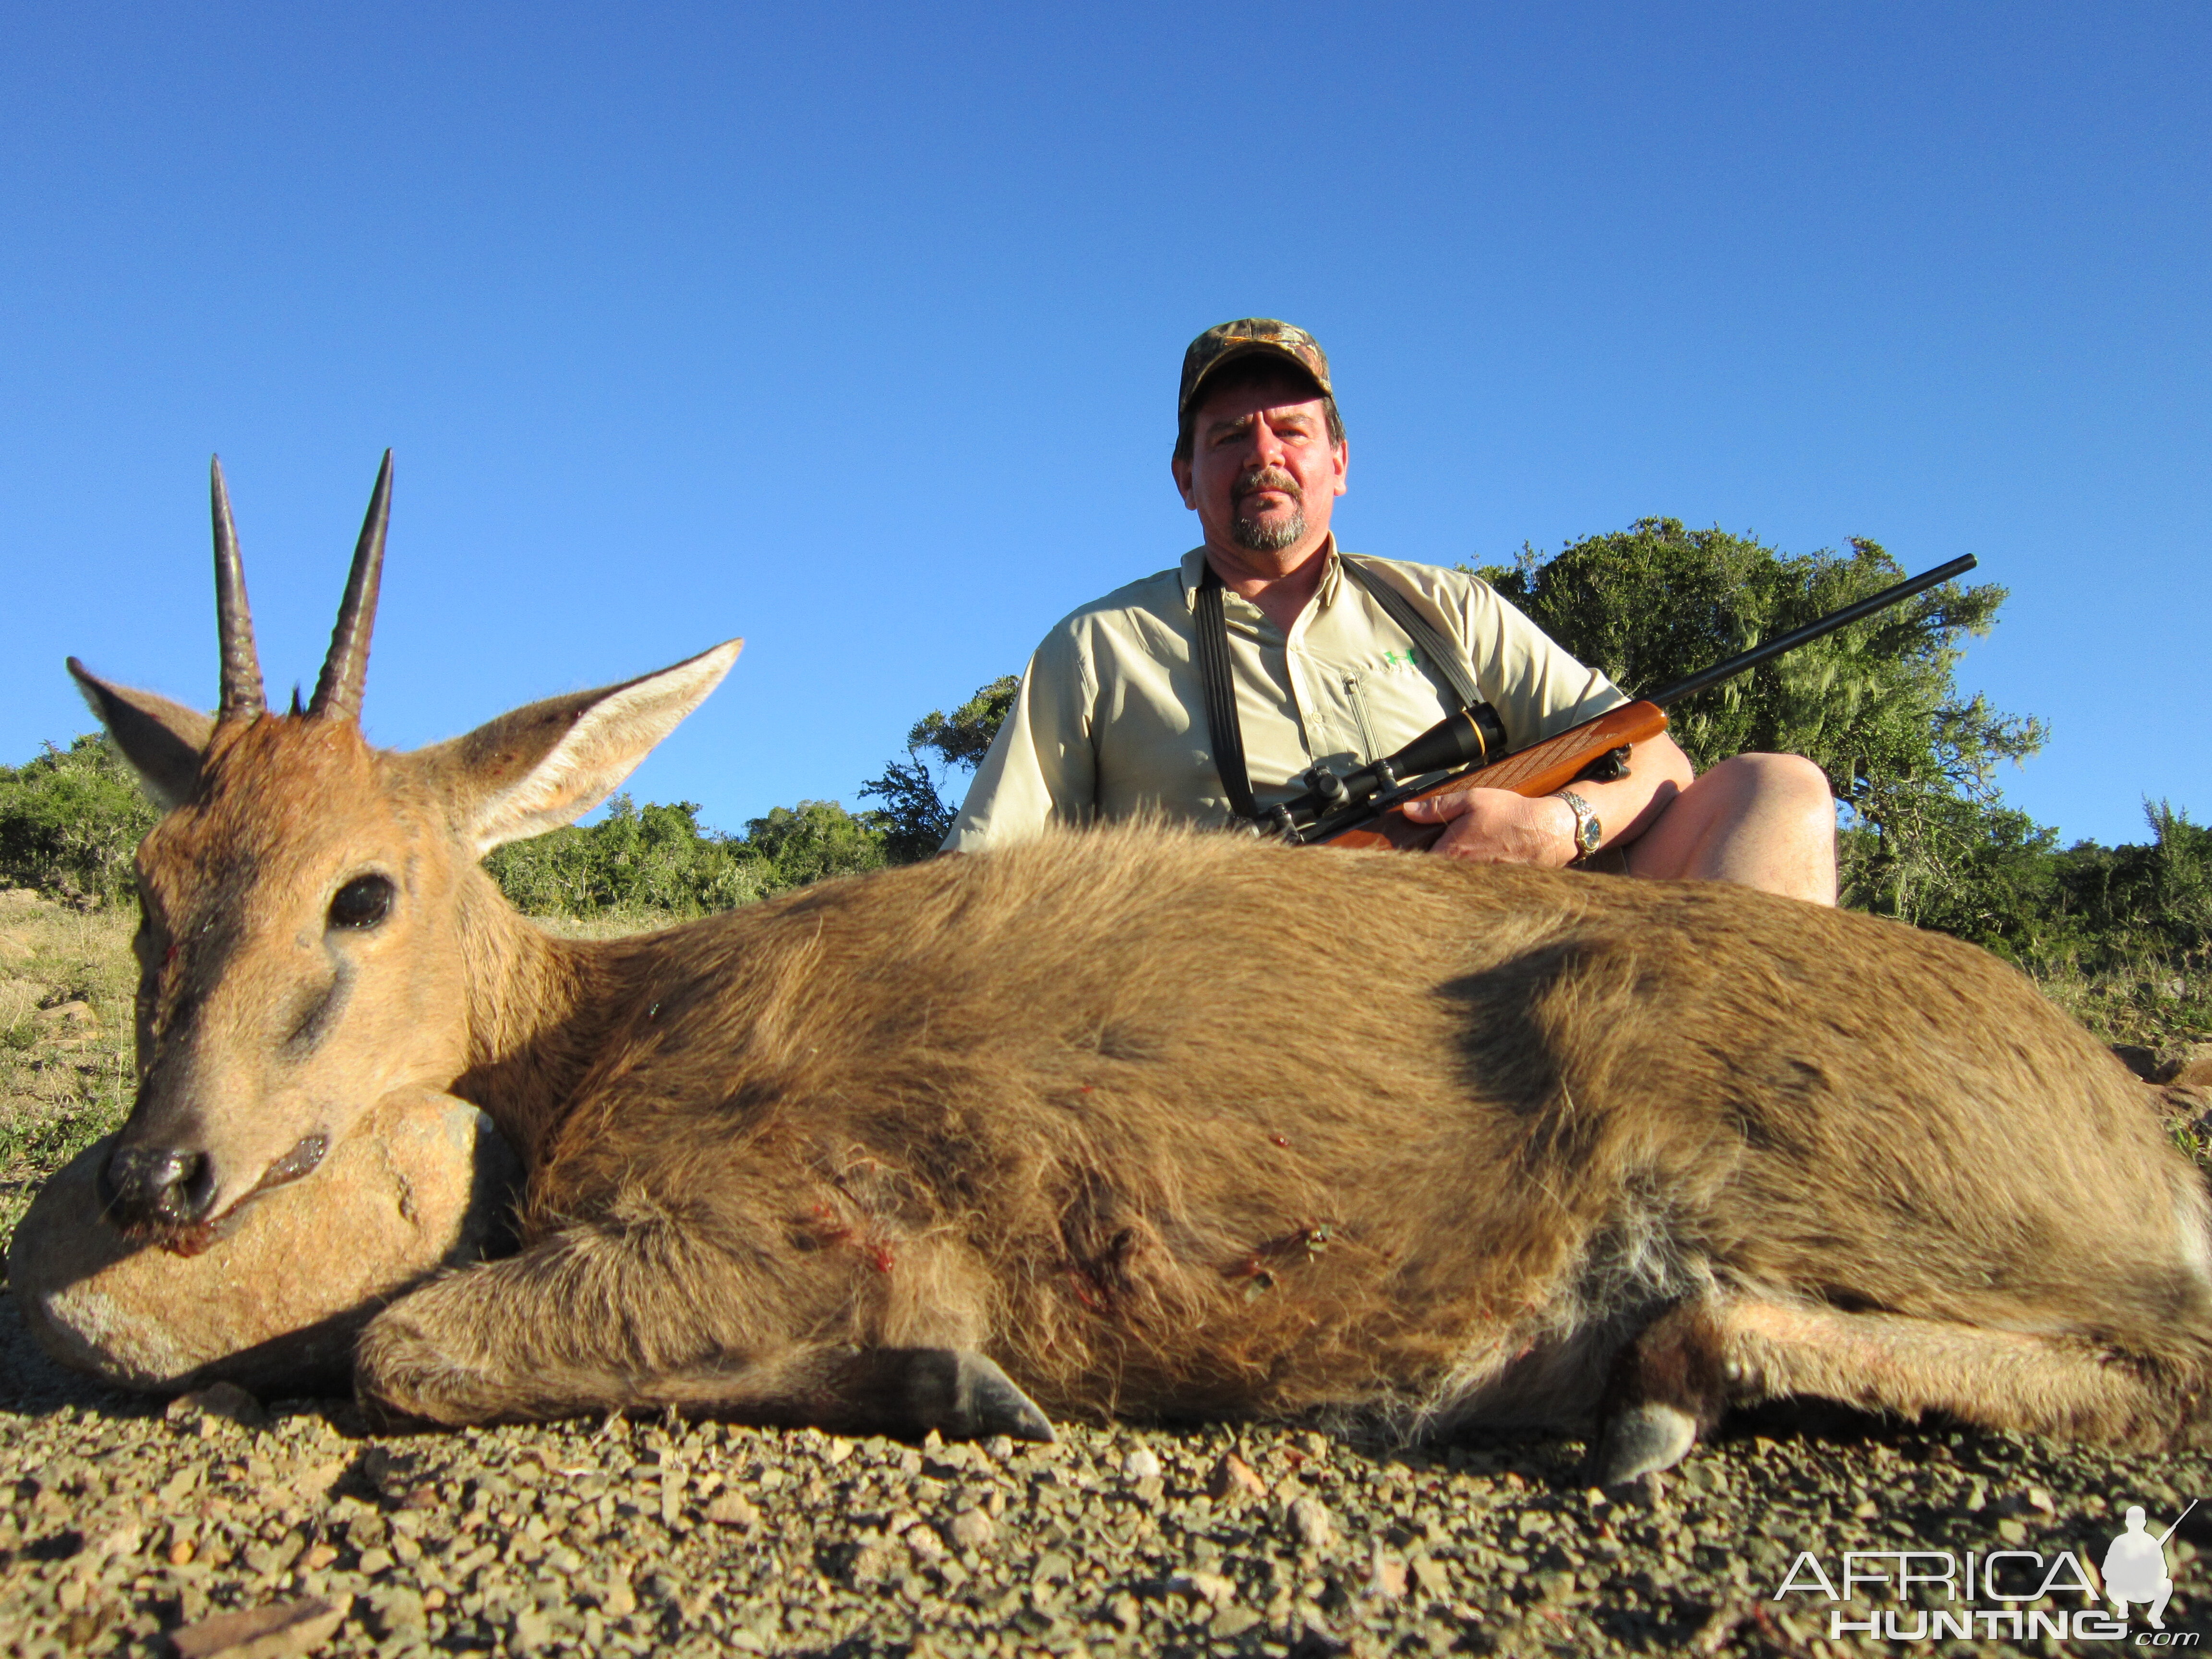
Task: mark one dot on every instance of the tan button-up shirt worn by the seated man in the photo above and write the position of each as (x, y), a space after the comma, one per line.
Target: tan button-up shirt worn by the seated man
(1112, 720)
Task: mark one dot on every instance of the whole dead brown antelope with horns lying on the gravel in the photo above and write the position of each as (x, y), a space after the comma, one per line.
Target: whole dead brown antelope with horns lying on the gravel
(1136, 1123)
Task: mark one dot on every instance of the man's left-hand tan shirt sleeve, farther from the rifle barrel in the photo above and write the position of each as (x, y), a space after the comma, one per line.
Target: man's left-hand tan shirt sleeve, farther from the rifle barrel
(1043, 764)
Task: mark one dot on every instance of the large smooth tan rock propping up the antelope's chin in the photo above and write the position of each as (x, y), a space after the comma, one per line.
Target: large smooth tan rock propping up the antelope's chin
(293, 1275)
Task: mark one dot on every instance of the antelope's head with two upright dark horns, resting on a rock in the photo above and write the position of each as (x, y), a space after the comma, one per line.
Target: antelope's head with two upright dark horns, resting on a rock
(306, 901)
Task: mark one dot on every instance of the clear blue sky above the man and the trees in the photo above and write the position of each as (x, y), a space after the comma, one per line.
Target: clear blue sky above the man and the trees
(855, 331)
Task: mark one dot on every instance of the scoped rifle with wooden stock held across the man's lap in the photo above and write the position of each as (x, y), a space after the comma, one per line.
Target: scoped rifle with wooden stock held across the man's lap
(1368, 808)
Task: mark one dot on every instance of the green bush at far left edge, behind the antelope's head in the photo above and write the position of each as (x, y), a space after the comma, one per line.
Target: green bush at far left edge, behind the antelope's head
(72, 822)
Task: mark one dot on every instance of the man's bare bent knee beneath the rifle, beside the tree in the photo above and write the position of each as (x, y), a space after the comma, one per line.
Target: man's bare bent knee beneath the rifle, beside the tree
(1760, 820)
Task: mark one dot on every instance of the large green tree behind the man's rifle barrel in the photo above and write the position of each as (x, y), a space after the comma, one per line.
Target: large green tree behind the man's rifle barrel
(1877, 707)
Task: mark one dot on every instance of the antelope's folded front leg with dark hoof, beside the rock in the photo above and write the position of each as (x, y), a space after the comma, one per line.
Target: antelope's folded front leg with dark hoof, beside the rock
(512, 1342)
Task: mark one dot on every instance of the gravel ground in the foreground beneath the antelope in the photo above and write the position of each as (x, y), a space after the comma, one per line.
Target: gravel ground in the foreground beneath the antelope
(127, 1519)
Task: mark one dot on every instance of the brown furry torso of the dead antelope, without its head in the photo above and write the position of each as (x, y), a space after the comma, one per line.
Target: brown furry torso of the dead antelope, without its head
(1191, 1125)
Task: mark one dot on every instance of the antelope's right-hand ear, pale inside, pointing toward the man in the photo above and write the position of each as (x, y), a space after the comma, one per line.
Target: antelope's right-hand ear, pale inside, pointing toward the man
(554, 762)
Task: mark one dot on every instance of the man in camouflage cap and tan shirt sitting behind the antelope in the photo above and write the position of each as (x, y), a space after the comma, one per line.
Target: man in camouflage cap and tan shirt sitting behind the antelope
(1112, 720)
